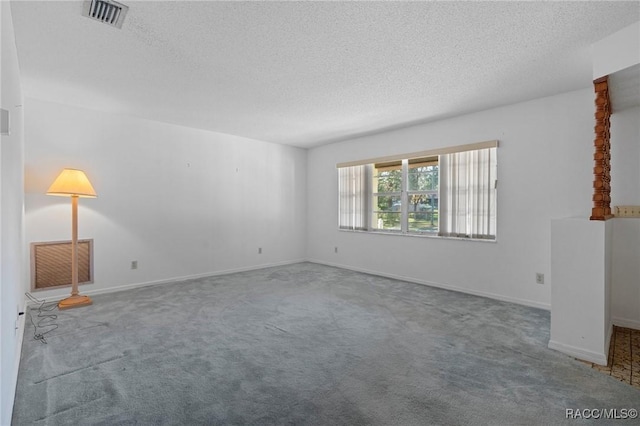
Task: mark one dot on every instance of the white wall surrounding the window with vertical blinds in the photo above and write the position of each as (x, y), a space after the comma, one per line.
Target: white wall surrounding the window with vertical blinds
(545, 161)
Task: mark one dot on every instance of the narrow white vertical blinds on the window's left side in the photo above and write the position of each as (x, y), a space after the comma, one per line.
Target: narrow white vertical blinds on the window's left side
(352, 187)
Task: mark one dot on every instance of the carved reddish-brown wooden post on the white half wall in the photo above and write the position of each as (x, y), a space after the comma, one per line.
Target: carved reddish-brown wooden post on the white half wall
(602, 168)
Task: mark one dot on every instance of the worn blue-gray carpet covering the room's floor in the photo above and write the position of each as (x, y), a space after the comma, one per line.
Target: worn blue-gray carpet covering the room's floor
(303, 344)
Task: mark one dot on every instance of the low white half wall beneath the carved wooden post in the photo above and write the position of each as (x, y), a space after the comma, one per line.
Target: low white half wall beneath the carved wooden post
(581, 267)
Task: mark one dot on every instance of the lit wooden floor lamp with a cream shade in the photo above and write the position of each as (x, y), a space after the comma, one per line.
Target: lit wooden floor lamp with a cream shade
(75, 184)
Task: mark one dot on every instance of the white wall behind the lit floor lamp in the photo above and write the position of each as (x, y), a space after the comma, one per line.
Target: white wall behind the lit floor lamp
(181, 202)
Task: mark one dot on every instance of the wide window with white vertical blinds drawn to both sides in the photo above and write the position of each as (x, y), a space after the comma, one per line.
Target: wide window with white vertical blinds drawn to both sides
(449, 192)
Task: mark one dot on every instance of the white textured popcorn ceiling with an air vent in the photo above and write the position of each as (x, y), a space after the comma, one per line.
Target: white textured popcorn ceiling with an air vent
(308, 73)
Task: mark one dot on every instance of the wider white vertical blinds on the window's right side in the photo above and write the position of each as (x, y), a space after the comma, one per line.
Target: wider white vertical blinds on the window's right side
(467, 205)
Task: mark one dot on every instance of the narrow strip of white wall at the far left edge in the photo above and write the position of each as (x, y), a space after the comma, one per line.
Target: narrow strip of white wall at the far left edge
(11, 219)
